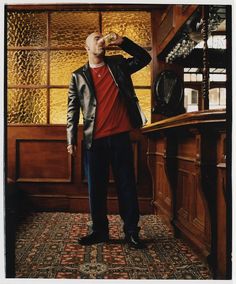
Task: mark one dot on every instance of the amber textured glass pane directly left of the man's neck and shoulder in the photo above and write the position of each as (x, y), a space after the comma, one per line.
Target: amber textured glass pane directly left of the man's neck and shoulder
(63, 63)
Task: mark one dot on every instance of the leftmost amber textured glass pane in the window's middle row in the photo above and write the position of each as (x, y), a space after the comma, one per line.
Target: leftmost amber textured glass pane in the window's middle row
(27, 67)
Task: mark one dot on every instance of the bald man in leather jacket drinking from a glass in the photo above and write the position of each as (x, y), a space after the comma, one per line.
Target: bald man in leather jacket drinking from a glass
(103, 90)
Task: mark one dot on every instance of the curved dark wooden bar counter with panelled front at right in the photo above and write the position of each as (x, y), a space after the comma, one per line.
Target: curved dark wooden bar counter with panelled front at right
(187, 160)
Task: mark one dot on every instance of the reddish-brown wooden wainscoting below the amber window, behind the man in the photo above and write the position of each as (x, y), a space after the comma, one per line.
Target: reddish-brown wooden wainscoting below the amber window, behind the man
(51, 180)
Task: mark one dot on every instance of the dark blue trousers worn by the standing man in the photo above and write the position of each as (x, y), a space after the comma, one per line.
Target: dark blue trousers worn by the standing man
(117, 151)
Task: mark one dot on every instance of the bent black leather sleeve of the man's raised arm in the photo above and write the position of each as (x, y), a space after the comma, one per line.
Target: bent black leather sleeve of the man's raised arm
(140, 56)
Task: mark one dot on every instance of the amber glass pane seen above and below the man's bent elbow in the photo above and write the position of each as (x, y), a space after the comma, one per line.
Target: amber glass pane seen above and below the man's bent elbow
(141, 77)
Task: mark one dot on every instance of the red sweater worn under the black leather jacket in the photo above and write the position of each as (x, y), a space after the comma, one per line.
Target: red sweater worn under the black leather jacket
(111, 115)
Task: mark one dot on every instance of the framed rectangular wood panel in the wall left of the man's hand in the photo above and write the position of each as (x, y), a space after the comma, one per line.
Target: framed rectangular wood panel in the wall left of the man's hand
(42, 161)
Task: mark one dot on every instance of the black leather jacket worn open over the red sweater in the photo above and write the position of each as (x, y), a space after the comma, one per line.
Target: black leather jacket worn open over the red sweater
(82, 95)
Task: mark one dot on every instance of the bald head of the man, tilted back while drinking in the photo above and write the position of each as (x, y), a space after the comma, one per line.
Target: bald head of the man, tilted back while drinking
(93, 46)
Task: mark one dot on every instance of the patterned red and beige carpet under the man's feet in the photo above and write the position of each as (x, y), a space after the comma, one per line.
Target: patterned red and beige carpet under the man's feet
(46, 247)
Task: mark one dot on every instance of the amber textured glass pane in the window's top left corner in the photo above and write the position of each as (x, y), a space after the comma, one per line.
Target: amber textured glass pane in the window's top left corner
(26, 29)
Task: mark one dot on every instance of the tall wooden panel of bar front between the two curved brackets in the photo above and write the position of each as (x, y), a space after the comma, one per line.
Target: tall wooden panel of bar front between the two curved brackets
(191, 213)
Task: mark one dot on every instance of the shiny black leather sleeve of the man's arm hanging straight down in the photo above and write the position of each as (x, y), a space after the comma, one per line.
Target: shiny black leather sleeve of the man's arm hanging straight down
(73, 113)
